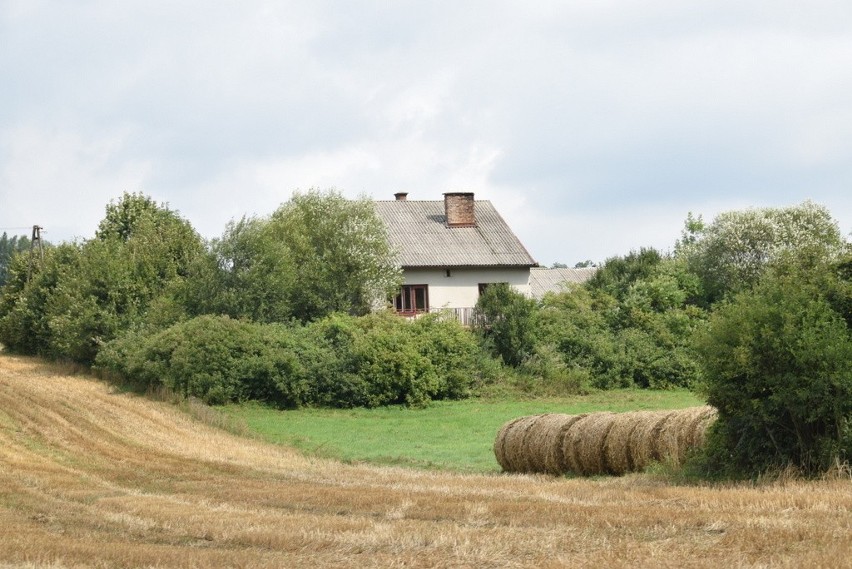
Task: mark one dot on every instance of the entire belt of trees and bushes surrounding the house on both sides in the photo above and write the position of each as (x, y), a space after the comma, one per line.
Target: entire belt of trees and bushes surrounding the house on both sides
(753, 310)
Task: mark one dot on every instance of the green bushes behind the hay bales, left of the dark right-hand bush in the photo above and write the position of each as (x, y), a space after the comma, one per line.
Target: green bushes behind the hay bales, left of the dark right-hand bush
(640, 341)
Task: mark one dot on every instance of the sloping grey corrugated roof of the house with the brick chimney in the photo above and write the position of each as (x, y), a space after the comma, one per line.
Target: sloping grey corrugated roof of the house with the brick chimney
(419, 233)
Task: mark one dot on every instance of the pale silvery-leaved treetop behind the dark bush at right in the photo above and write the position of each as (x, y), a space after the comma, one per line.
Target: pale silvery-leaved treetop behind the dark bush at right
(730, 254)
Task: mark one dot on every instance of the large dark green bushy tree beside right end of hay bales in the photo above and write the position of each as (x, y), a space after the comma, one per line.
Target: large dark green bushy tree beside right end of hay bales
(778, 367)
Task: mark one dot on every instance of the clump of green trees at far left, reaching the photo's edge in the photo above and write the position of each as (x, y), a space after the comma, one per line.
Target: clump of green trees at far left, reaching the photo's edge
(86, 294)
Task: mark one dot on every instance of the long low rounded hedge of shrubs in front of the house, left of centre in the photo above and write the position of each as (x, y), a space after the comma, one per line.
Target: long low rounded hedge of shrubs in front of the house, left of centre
(339, 361)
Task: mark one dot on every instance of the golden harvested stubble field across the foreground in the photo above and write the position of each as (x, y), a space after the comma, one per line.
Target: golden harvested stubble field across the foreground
(92, 477)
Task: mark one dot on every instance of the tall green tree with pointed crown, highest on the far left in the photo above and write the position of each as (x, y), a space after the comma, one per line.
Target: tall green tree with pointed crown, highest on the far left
(142, 250)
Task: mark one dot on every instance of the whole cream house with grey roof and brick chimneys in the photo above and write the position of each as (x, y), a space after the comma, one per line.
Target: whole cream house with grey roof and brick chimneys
(450, 250)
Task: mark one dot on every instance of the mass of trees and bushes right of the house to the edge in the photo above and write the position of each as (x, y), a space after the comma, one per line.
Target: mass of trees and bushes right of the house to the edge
(753, 311)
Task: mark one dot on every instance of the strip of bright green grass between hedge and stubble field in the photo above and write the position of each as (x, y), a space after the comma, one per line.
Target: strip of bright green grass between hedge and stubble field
(452, 435)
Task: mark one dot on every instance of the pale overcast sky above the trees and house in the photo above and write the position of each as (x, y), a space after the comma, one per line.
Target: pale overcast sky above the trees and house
(593, 126)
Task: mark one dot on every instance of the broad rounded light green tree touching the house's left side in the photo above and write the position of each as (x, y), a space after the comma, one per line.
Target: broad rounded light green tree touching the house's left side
(318, 254)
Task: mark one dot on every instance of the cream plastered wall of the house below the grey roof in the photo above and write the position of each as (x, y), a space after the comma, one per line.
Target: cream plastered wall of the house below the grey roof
(461, 288)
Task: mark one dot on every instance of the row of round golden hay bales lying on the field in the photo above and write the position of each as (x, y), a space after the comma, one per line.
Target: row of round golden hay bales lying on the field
(600, 443)
